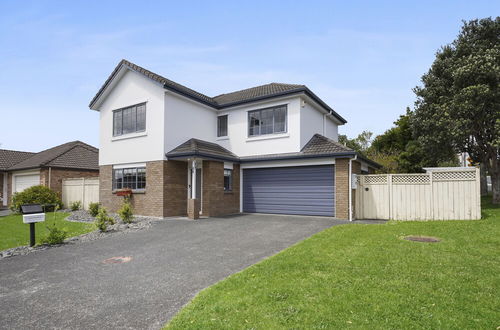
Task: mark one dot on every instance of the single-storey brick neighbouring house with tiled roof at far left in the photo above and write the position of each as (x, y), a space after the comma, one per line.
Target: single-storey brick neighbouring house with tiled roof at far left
(20, 170)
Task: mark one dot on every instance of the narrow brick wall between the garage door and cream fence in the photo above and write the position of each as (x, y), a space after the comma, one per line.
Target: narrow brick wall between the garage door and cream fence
(342, 186)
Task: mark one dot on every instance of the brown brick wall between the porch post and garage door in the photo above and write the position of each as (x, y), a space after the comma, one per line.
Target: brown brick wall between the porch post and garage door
(215, 201)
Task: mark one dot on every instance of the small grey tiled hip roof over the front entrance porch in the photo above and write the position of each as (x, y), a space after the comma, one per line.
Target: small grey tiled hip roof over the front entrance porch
(200, 148)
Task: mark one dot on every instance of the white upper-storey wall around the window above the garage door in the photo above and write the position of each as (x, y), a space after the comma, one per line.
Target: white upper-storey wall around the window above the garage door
(242, 145)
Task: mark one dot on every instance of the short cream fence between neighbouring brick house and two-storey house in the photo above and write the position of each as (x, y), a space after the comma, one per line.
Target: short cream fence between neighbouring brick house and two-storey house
(85, 190)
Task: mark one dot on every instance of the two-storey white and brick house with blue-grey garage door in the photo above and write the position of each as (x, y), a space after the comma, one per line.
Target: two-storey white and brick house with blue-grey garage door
(267, 149)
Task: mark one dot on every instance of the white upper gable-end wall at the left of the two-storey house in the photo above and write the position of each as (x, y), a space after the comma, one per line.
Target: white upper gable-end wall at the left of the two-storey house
(132, 88)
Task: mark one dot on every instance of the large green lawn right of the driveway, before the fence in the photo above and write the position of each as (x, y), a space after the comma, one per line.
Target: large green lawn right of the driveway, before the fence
(365, 276)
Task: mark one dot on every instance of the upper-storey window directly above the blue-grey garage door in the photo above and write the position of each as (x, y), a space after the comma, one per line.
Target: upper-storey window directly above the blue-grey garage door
(267, 121)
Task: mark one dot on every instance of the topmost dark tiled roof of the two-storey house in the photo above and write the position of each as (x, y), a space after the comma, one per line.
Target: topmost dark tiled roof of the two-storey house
(224, 100)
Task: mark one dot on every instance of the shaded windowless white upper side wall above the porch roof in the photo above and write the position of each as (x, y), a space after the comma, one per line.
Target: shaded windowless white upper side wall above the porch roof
(186, 119)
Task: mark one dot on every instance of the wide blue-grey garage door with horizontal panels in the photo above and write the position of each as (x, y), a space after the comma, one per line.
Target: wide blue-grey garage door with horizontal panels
(304, 190)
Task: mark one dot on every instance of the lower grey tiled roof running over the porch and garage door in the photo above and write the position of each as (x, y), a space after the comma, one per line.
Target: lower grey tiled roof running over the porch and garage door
(317, 147)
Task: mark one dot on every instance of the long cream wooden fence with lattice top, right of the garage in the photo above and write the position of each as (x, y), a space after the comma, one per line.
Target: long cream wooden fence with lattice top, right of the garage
(437, 195)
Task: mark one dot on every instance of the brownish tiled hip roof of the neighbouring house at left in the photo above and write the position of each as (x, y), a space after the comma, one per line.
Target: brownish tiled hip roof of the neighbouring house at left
(75, 155)
